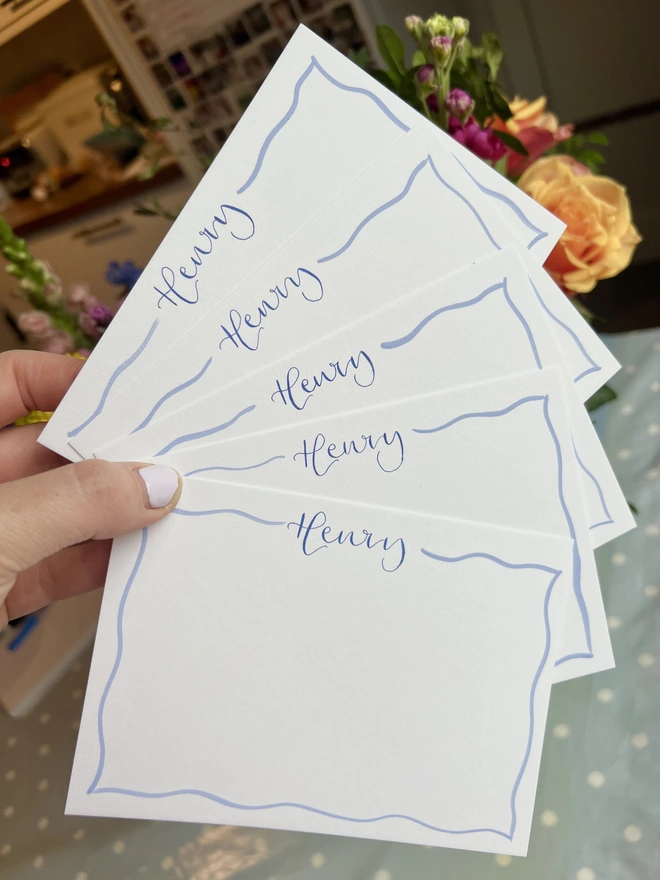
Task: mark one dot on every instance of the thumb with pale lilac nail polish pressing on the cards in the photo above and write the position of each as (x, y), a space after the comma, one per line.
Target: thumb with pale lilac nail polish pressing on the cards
(42, 514)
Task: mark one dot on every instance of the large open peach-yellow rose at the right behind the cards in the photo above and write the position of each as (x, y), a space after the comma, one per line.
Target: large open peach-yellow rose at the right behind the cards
(600, 238)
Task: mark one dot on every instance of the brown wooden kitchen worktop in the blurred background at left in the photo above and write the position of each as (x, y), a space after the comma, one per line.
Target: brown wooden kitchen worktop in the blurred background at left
(85, 196)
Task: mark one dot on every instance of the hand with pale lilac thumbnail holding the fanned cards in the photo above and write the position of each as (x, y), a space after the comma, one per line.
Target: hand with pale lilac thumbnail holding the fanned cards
(57, 519)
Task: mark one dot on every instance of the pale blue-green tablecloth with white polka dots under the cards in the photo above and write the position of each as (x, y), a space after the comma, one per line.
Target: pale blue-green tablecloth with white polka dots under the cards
(598, 804)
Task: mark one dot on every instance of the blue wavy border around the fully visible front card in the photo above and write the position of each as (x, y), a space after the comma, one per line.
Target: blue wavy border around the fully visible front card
(94, 787)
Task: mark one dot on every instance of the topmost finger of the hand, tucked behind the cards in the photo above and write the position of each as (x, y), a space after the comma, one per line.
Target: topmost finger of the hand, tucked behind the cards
(32, 380)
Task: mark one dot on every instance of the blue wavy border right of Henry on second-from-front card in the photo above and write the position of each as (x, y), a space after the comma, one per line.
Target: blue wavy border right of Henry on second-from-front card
(577, 560)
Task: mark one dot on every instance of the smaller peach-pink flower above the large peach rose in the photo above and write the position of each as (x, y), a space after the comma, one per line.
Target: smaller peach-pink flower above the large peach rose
(535, 127)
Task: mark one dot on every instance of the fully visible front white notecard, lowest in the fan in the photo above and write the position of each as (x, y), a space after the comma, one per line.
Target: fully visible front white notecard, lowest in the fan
(332, 698)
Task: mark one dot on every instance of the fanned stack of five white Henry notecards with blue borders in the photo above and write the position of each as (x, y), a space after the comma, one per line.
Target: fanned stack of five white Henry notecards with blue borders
(382, 558)
